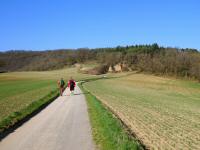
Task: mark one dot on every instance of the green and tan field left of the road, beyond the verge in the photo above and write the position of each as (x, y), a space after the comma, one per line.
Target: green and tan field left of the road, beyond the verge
(19, 89)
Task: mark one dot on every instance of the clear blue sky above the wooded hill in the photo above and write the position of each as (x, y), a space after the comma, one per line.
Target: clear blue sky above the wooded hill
(54, 24)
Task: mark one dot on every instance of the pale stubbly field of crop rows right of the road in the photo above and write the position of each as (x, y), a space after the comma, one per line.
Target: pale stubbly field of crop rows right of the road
(164, 113)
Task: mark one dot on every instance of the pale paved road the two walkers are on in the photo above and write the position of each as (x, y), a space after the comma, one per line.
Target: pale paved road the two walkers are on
(63, 125)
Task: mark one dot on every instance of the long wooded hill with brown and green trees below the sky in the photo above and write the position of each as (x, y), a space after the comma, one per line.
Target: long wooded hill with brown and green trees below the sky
(147, 58)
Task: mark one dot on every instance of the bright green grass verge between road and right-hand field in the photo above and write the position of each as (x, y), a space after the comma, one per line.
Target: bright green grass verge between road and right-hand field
(108, 131)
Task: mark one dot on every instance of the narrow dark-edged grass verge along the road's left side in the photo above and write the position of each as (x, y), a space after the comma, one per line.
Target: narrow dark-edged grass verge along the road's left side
(25, 113)
